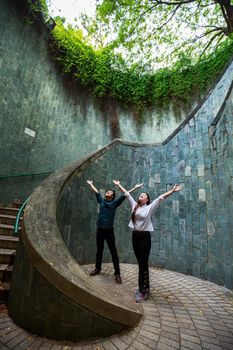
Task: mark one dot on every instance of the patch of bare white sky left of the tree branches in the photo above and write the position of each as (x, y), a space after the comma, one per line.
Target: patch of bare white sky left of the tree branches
(70, 8)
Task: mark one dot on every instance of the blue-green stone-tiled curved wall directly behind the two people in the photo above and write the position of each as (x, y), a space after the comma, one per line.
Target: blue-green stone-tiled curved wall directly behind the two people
(193, 229)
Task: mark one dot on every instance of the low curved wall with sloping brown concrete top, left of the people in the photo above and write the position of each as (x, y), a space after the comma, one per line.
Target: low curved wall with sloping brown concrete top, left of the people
(64, 301)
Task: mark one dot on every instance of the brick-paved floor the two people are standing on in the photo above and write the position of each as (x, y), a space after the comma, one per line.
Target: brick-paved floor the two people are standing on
(182, 312)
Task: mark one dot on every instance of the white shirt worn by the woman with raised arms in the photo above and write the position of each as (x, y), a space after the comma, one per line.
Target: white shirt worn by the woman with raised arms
(143, 214)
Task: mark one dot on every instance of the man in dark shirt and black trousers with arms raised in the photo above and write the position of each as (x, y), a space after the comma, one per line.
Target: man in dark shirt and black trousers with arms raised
(105, 229)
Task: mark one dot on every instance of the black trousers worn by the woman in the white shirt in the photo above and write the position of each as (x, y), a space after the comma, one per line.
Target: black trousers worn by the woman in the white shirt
(141, 245)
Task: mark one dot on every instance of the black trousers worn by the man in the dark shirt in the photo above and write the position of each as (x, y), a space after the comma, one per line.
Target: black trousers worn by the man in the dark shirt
(108, 235)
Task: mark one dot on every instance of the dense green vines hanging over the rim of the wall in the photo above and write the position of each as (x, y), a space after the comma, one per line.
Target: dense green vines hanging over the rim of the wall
(107, 74)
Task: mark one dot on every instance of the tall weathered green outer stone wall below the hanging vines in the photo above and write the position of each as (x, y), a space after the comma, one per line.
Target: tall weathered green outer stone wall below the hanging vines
(45, 122)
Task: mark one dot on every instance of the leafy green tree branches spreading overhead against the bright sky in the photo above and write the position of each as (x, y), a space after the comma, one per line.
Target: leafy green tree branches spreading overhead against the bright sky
(160, 30)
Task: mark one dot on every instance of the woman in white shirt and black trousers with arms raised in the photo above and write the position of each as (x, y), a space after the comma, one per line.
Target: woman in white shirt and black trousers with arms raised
(140, 222)
